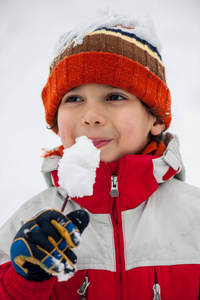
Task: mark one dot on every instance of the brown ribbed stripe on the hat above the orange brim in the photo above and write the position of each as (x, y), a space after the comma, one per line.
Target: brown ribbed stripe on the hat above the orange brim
(114, 44)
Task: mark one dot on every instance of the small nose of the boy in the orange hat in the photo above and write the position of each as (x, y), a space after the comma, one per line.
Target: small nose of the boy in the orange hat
(93, 116)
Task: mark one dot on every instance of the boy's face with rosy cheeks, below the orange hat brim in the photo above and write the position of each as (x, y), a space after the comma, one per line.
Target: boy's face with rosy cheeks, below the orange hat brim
(115, 120)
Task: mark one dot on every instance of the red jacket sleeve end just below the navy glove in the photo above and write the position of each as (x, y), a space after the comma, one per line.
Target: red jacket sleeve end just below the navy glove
(14, 286)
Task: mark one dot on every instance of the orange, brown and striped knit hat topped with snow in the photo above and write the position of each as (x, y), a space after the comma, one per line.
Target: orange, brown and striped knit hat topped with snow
(119, 51)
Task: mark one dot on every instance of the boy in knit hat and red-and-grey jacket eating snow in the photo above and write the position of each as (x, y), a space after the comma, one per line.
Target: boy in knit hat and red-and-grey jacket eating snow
(142, 241)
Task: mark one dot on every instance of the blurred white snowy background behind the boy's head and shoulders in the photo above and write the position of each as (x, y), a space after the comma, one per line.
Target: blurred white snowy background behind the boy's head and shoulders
(29, 30)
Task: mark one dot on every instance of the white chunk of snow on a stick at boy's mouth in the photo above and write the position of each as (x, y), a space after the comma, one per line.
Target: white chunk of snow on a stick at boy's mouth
(77, 168)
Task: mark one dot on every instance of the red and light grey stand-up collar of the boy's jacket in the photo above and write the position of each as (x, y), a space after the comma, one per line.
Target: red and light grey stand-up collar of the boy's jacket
(138, 175)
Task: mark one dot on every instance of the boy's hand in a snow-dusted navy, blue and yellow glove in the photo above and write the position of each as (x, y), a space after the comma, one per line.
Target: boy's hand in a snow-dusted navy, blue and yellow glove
(43, 246)
